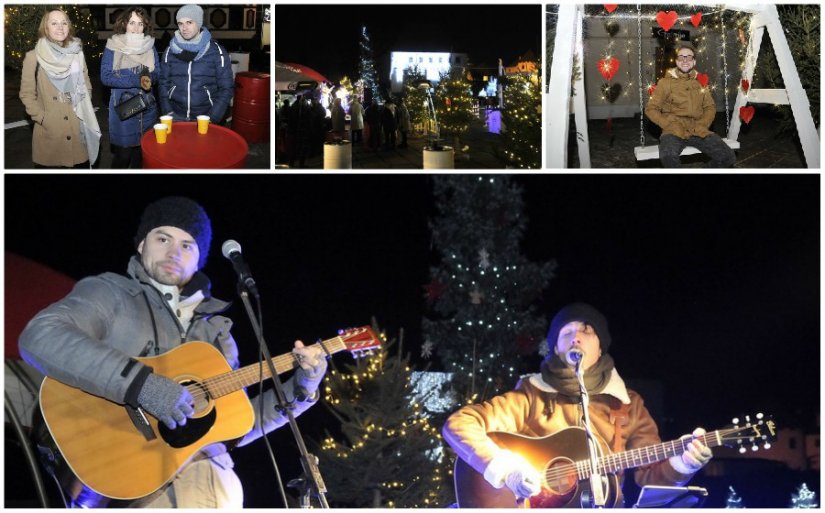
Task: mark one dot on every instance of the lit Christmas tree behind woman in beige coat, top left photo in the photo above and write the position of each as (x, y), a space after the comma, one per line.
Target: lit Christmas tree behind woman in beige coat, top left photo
(23, 21)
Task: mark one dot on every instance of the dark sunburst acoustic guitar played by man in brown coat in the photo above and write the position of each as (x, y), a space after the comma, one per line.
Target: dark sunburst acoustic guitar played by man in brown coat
(562, 460)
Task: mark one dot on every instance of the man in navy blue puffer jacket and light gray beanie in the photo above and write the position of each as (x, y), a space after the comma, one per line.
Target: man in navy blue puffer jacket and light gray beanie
(196, 72)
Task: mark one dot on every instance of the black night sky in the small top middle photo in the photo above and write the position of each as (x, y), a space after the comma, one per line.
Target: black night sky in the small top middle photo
(325, 37)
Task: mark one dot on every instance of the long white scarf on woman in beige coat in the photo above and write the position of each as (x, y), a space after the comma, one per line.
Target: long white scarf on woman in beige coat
(64, 67)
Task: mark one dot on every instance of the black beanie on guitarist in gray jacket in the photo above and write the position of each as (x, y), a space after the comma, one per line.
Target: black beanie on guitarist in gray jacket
(182, 213)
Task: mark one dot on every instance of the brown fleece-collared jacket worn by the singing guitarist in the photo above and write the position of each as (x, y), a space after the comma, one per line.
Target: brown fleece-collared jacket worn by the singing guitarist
(534, 409)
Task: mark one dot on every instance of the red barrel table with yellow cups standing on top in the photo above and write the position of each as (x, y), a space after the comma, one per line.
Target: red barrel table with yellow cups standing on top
(185, 148)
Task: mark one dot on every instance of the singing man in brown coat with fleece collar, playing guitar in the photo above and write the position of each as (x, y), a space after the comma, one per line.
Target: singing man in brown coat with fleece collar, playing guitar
(546, 404)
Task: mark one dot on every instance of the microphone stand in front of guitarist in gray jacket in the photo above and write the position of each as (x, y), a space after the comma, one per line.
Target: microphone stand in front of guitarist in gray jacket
(309, 462)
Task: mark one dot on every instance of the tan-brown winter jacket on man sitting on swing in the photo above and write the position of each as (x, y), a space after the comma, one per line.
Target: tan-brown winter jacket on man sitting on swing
(681, 106)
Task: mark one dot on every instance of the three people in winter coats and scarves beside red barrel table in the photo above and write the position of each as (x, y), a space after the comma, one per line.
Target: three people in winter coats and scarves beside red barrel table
(193, 77)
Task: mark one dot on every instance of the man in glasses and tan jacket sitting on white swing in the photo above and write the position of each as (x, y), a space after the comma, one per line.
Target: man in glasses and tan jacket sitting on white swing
(685, 109)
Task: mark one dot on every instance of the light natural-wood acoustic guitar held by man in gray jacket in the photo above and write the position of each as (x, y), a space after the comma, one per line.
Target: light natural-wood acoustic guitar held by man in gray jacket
(127, 456)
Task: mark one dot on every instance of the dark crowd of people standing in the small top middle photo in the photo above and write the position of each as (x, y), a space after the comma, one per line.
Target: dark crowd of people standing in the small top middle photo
(302, 127)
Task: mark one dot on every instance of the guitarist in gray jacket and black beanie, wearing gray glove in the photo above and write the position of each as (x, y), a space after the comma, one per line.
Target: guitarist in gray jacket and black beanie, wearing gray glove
(89, 340)
